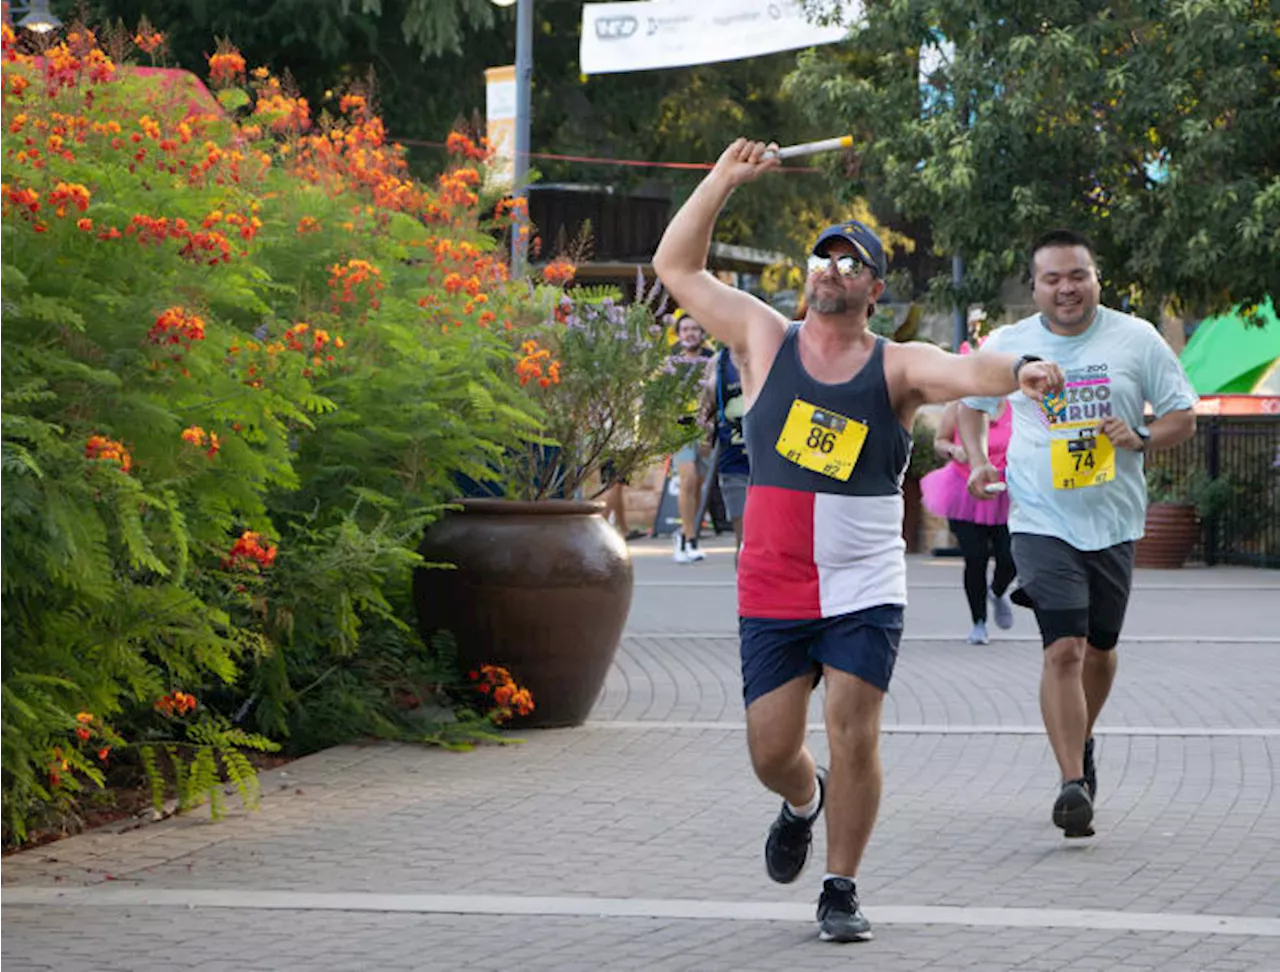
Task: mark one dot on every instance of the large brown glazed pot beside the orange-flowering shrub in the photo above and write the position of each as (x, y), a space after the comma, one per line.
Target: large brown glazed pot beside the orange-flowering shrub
(541, 588)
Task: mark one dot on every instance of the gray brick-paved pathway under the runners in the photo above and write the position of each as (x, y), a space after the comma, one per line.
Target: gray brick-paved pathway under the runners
(634, 843)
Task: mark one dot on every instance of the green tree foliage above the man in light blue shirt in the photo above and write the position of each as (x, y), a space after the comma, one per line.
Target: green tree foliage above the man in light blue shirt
(1146, 124)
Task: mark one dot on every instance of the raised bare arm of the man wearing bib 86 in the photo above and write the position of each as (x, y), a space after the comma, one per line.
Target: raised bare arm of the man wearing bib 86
(680, 262)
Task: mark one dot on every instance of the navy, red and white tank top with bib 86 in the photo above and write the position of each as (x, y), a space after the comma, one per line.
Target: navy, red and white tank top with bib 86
(822, 536)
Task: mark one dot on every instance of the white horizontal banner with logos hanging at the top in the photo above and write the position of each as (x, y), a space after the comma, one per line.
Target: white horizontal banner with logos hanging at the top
(644, 35)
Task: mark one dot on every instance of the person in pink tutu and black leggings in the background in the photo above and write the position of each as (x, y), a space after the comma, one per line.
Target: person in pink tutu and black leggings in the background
(980, 526)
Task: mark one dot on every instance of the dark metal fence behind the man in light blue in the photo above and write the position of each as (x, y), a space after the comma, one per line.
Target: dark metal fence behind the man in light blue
(1232, 469)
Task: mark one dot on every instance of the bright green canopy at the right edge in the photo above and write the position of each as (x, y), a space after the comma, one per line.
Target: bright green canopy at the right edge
(1228, 355)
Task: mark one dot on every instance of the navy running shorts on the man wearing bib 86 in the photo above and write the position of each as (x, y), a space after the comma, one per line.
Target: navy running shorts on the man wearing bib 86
(862, 644)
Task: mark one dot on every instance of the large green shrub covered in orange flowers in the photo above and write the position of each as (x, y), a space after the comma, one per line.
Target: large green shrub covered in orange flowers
(225, 318)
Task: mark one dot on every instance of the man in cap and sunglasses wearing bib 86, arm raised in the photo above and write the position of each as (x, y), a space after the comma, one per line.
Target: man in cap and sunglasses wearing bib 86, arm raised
(822, 573)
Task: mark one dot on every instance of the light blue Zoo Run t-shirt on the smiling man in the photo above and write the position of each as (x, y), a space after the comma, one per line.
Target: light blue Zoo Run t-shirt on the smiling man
(1114, 368)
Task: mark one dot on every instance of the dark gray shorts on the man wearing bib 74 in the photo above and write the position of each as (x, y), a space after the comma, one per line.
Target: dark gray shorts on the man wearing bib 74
(1076, 594)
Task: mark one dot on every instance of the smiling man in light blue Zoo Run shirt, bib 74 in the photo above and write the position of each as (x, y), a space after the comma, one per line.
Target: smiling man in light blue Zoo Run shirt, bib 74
(1078, 491)
